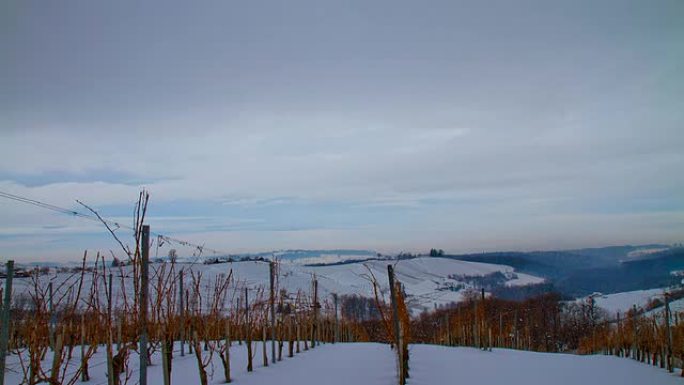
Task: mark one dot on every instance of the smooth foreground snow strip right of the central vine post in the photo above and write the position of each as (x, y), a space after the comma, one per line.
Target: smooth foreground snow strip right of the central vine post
(443, 365)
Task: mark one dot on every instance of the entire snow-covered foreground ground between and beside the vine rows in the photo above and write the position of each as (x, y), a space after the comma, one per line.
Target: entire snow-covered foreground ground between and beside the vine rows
(374, 364)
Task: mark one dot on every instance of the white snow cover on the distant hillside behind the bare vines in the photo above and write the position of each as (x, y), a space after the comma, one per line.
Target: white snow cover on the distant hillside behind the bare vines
(428, 281)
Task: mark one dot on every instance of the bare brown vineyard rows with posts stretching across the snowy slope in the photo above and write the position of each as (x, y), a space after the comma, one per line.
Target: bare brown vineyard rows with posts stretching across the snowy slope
(115, 322)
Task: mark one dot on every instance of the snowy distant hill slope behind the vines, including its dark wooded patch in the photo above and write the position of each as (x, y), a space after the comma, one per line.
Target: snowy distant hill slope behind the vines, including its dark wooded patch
(428, 282)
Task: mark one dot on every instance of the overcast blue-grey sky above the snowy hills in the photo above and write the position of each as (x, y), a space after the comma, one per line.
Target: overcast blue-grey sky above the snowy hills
(384, 125)
